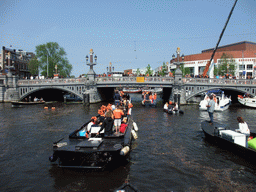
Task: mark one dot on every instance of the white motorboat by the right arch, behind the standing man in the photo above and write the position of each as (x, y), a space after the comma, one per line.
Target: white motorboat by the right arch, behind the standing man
(222, 102)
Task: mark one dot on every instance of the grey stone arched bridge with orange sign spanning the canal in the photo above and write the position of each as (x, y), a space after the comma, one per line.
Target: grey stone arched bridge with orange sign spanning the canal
(186, 87)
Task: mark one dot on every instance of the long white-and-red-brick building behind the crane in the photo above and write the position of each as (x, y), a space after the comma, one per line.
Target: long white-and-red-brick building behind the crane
(243, 54)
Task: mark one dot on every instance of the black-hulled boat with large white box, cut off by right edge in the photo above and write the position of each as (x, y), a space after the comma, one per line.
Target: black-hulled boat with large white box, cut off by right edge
(230, 140)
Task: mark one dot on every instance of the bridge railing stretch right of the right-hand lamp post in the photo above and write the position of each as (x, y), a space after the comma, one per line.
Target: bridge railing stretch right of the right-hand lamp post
(219, 81)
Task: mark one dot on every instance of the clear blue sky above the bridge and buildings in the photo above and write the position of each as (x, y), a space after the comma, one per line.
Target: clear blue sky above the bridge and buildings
(128, 33)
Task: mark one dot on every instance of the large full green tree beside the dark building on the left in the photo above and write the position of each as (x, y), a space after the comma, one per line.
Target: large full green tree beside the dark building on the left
(55, 55)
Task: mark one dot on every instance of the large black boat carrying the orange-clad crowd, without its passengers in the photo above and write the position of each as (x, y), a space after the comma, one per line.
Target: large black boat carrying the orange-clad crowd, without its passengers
(79, 151)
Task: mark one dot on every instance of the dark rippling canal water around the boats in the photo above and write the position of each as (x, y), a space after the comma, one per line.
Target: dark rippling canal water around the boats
(170, 154)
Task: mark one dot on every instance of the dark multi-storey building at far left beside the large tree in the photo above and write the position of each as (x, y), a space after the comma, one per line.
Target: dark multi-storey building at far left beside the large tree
(16, 62)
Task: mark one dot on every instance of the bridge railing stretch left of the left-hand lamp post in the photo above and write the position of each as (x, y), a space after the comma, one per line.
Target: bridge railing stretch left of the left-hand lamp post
(52, 81)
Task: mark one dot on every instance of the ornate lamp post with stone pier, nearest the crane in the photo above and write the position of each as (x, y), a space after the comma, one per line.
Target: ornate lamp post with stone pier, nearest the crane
(178, 92)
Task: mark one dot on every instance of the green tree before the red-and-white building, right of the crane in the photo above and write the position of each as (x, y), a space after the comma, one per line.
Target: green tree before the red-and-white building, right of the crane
(226, 65)
